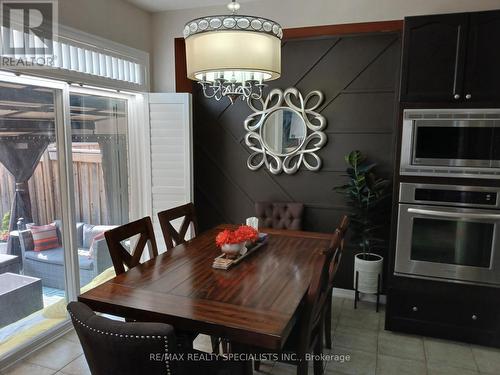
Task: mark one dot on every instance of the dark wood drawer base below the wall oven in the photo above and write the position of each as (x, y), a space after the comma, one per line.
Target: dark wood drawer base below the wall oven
(445, 311)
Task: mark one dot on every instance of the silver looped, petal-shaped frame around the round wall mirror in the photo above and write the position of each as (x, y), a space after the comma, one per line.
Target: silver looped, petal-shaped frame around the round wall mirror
(305, 152)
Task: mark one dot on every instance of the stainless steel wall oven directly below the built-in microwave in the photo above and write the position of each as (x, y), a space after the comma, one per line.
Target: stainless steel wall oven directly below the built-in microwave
(451, 233)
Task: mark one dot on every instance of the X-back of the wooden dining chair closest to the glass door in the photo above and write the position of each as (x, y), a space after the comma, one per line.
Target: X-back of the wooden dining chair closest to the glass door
(119, 255)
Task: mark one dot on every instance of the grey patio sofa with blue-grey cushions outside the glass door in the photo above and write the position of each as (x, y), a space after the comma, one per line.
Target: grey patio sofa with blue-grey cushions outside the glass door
(48, 265)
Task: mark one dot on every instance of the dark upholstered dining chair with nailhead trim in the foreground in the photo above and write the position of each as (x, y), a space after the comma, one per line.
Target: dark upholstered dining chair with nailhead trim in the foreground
(118, 348)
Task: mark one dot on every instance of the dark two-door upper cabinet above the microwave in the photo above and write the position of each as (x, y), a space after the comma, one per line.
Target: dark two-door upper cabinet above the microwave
(451, 58)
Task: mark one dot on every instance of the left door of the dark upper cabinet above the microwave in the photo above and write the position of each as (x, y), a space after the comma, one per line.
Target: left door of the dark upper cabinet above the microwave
(433, 58)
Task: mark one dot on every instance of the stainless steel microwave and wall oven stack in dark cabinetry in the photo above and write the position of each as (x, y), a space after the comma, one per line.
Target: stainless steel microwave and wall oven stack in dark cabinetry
(450, 232)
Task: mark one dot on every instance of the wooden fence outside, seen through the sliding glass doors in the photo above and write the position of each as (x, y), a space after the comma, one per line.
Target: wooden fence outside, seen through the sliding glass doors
(90, 195)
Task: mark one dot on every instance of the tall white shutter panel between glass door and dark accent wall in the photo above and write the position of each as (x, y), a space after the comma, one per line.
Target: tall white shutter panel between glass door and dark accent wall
(171, 154)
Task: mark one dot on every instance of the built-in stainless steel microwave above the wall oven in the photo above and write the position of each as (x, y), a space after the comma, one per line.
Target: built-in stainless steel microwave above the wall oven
(451, 143)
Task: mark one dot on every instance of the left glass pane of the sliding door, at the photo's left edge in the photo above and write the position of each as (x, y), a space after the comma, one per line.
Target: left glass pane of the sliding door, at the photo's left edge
(32, 237)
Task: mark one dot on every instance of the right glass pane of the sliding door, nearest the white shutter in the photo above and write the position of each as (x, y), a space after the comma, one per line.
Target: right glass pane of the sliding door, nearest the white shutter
(100, 169)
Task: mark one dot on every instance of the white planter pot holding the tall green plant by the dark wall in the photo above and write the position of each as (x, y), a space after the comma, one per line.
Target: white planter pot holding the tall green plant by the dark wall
(368, 270)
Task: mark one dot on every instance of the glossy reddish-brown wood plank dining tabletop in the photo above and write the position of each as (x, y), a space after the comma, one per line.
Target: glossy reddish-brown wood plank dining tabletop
(254, 303)
